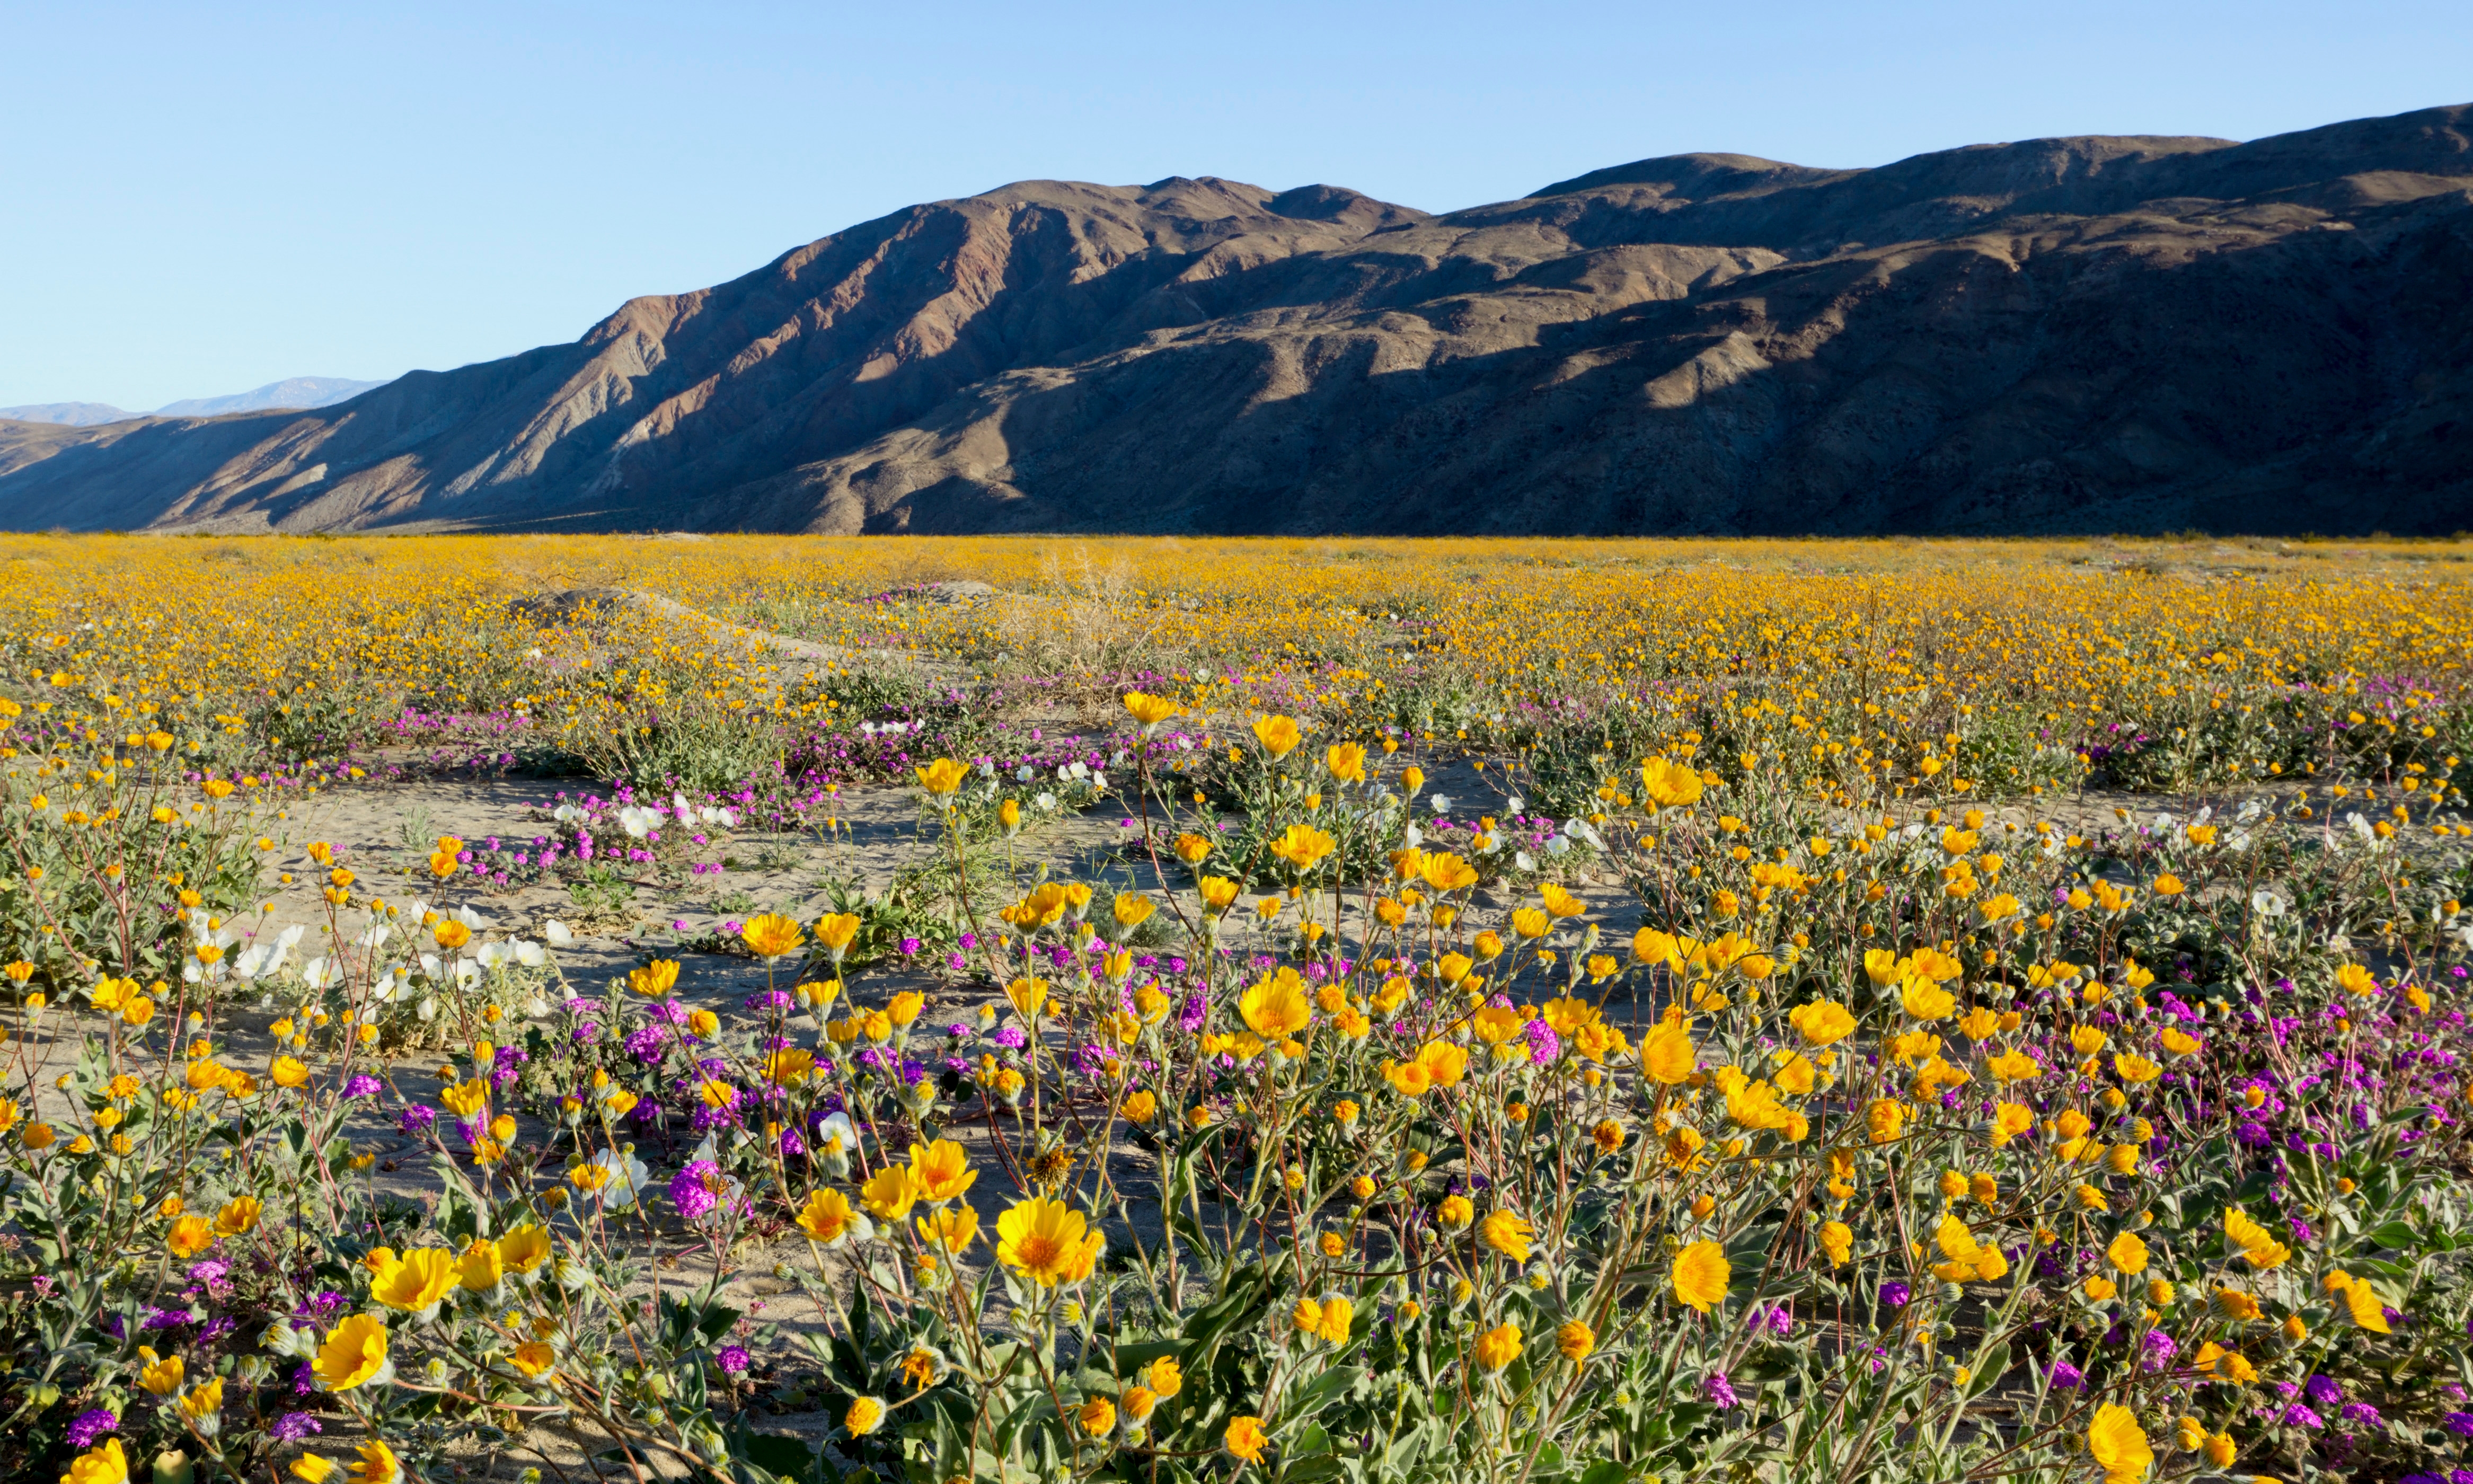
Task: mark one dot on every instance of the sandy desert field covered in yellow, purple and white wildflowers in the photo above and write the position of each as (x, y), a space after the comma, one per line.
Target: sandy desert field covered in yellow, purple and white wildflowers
(1042, 1010)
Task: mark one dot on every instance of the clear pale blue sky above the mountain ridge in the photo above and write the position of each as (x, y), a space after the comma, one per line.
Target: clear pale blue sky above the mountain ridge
(202, 199)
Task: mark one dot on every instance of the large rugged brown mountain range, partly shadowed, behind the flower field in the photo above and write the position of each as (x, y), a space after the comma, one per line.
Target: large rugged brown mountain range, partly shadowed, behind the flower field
(2061, 335)
